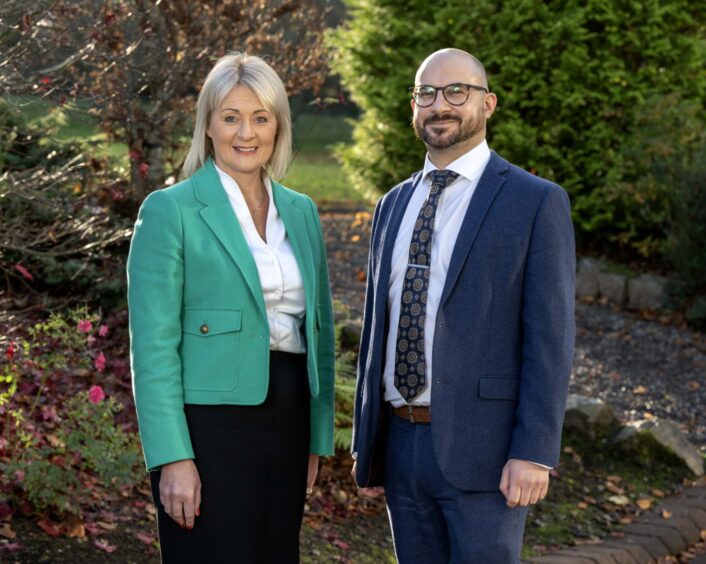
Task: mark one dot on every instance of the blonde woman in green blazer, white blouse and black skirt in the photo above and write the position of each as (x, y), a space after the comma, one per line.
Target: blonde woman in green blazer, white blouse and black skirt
(232, 332)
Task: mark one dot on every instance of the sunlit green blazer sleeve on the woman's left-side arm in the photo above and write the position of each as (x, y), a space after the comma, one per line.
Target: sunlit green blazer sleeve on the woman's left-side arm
(155, 272)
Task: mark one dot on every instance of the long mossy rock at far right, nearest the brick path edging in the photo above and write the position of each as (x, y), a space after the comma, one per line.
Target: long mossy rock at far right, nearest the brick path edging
(664, 435)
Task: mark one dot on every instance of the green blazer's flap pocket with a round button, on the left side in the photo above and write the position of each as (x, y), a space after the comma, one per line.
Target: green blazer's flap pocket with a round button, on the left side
(210, 348)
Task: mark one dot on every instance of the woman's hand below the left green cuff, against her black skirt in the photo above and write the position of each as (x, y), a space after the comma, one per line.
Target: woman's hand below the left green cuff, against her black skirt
(180, 492)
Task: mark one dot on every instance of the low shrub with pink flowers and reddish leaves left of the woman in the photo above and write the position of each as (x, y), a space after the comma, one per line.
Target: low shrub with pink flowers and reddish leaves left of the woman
(60, 440)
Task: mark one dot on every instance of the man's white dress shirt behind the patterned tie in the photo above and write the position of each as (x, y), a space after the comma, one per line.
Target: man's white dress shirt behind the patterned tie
(450, 212)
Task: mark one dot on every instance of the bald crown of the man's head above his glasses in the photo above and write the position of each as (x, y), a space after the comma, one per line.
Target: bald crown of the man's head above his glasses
(455, 64)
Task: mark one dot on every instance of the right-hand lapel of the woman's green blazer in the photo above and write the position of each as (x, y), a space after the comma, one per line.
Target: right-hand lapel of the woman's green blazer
(296, 228)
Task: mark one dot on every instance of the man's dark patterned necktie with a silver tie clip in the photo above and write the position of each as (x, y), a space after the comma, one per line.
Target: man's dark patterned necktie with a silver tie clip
(410, 364)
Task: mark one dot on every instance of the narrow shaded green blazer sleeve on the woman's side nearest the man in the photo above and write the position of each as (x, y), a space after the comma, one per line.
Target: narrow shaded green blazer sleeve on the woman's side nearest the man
(322, 406)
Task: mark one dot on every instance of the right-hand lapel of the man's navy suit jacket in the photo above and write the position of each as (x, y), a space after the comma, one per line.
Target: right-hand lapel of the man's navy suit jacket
(488, 186)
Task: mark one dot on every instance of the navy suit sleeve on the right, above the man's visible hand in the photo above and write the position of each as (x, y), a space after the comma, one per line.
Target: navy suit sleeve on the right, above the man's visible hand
(548, 332)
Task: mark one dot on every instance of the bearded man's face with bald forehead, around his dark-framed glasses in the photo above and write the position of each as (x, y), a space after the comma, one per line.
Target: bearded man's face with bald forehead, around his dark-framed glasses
(443, 125)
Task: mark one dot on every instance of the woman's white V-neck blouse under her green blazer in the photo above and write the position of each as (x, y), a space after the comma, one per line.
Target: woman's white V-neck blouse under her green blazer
(280, 278)
